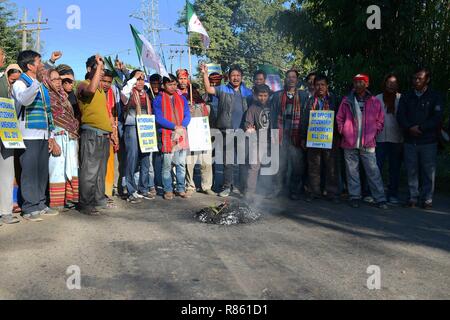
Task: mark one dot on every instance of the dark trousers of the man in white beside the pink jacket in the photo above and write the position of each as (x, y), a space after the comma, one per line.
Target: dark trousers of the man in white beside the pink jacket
(392, 152)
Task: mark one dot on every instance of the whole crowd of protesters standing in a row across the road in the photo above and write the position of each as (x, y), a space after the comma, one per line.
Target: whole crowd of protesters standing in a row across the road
(82, 145)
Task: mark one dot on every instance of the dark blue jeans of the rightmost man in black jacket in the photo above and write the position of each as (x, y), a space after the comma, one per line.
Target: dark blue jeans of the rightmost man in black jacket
(421, 158)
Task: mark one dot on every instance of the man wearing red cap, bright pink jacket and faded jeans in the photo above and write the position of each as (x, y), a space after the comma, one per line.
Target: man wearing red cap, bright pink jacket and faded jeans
(360, 119)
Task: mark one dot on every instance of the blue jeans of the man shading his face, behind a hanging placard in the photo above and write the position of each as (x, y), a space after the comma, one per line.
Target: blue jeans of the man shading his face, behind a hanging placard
(136, 161)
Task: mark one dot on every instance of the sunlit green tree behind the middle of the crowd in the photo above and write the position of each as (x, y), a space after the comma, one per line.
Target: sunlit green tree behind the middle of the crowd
(241, 33)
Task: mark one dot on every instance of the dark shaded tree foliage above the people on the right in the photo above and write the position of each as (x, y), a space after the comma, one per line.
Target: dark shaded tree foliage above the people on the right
(334, 35)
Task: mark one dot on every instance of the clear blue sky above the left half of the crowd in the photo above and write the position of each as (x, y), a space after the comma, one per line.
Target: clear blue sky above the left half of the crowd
(104, 29)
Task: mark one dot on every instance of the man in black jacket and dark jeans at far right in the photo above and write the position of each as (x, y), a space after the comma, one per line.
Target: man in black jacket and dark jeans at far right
(420, 115)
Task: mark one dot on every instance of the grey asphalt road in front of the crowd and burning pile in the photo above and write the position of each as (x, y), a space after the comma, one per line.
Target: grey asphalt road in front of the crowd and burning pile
(155, 250)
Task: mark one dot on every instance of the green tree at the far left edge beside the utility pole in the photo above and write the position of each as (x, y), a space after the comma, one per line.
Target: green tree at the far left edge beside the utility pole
(9, 38)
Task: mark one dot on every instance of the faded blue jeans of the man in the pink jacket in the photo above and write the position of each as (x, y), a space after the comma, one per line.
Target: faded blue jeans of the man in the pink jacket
(353, 157)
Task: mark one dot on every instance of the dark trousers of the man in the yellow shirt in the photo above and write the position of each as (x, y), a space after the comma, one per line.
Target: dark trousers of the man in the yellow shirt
(94, 154)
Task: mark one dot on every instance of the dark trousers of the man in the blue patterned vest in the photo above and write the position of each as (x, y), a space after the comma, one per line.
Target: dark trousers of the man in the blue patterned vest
(34, 176)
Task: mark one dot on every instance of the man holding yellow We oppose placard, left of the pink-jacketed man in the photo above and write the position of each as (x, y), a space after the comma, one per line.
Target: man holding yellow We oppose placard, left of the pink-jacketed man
(320, 140)
